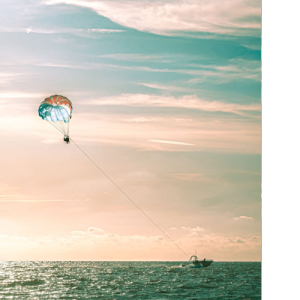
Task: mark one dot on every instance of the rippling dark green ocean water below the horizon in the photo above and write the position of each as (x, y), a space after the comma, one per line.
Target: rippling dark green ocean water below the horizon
(128, 280)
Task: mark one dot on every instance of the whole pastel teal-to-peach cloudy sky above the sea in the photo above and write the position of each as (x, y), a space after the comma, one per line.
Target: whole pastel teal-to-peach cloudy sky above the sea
(167, 101)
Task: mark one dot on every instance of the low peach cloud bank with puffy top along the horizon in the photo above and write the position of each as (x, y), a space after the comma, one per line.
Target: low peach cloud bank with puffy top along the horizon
(97, 244)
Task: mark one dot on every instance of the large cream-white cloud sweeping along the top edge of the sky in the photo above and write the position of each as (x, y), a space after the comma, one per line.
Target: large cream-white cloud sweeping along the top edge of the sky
(233, 17)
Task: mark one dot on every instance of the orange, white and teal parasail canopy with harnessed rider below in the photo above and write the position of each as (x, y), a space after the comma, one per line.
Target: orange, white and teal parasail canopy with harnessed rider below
(57, 110)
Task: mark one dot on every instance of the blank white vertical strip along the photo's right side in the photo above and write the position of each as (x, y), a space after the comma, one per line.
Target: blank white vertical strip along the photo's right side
(280, 149)
